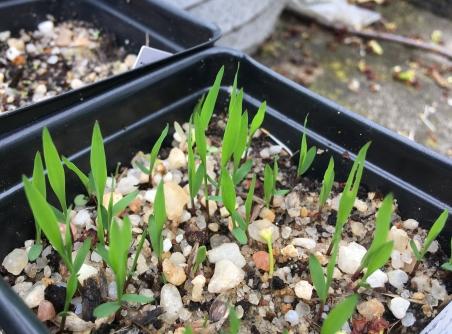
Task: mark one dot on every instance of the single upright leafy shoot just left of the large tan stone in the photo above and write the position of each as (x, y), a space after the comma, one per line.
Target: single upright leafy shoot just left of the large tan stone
(157, 222)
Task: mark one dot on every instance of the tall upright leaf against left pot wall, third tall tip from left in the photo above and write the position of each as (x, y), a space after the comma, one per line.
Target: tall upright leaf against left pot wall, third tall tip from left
(98, 162)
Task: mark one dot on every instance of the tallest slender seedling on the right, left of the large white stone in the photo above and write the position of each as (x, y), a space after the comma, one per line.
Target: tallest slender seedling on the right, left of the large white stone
(348, 196)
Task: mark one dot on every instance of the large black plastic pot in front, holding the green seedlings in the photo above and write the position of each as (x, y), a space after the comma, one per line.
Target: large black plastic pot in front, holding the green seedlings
(132, 116)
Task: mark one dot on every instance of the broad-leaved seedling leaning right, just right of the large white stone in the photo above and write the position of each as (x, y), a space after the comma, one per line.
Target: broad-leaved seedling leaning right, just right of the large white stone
(382, 225)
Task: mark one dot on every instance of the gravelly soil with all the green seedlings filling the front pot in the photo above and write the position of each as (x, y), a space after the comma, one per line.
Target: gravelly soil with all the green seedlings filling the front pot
(219, 233)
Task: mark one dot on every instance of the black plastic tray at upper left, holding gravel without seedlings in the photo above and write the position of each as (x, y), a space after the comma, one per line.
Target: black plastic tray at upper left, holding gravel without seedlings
(132, 23)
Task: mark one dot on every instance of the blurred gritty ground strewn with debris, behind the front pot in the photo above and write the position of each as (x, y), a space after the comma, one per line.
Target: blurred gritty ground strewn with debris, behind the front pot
(344, 69)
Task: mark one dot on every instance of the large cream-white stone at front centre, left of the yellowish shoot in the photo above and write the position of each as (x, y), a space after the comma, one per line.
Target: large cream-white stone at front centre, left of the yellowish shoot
(226, 276)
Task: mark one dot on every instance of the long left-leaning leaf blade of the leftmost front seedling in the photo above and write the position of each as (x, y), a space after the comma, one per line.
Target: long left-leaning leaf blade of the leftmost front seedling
(44, 216)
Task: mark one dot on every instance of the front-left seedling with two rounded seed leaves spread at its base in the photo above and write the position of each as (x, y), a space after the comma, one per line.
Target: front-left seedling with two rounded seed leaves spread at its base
(120, 238)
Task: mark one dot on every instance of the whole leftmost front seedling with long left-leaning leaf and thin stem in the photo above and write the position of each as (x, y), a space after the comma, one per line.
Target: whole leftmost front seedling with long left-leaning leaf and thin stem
(45, 217)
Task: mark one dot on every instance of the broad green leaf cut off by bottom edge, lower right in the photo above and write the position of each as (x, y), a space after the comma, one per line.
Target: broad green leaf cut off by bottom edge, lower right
(339, 315)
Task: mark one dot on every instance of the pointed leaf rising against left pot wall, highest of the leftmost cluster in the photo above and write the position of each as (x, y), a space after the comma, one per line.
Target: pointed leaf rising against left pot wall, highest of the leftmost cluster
(55, 170)
